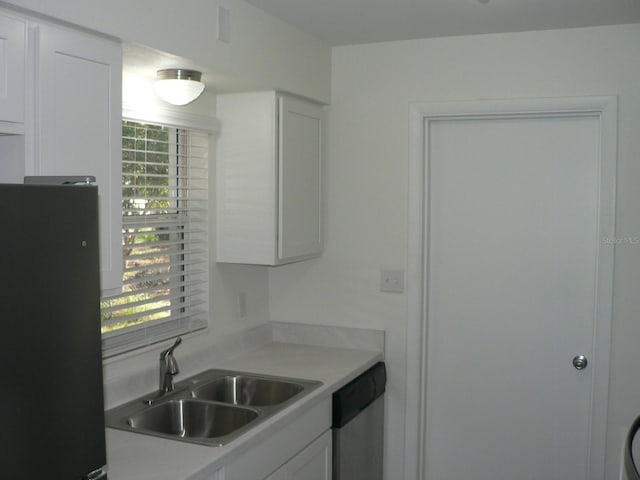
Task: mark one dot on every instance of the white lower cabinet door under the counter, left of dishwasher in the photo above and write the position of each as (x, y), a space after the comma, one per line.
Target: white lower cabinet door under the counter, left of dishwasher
(312, 463)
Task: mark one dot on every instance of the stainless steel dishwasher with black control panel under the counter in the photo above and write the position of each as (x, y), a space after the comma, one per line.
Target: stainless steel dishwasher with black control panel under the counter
(358, 426)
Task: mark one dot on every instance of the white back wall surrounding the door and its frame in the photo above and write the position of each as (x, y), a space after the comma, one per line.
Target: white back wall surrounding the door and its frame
(367, 184)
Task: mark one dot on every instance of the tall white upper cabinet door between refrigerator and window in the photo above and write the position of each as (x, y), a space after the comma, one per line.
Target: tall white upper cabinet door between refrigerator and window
(78, 125)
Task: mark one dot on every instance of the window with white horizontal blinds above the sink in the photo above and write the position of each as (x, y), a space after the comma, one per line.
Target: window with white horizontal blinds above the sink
(164, 237)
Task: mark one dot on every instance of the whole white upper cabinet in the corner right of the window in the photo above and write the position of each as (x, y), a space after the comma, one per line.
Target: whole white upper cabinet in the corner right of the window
(268, 175)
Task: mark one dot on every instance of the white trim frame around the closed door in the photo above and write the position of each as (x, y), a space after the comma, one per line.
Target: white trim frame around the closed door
(605, 108)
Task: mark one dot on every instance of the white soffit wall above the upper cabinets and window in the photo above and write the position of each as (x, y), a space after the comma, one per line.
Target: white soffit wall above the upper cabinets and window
(264, 52)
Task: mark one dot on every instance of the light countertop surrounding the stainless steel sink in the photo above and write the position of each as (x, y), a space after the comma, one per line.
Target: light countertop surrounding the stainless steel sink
(133, 456)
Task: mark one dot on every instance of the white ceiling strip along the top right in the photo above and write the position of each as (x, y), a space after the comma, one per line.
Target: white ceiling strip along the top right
(348, 22)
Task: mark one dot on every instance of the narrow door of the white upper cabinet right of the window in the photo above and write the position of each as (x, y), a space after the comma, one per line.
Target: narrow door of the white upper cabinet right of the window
(299, 161)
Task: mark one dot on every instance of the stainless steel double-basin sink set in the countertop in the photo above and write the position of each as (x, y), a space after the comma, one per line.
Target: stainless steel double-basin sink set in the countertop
(210, 408)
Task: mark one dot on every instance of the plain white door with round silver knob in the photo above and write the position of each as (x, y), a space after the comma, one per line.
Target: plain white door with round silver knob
(512, 290)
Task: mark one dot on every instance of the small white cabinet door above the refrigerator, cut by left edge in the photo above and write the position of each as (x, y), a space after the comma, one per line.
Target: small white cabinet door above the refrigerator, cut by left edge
(12, 74)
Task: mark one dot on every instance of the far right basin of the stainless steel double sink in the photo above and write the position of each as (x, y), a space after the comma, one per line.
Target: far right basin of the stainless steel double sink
(248, 390)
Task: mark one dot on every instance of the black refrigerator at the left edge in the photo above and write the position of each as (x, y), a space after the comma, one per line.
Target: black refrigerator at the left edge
(51, 391)
